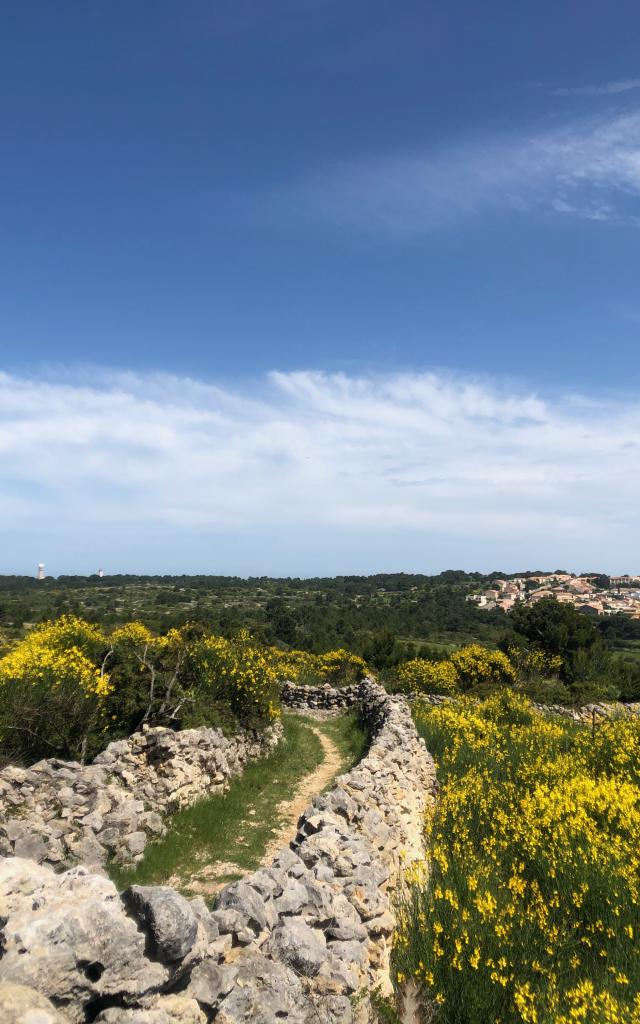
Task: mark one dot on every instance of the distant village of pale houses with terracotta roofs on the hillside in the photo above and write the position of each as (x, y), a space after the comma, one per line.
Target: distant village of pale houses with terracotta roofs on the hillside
(593, 595)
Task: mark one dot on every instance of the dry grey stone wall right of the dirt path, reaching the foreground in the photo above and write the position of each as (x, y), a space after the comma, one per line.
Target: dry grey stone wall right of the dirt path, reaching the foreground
(293, 942)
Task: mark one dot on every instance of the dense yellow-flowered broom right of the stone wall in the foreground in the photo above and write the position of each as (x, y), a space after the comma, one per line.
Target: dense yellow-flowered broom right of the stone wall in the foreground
(529, 911)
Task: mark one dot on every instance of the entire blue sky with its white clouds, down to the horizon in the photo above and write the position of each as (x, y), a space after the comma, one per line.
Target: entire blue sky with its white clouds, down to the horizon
(318, 286)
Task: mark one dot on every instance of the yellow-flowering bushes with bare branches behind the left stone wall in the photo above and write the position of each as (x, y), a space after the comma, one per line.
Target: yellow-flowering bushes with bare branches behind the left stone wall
(68, 689)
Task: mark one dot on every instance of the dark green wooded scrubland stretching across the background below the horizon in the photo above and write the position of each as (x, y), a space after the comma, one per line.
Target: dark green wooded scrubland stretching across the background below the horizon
(387, 620)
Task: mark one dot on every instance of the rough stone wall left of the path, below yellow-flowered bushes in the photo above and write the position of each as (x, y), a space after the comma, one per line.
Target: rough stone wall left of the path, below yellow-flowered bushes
(61, 814)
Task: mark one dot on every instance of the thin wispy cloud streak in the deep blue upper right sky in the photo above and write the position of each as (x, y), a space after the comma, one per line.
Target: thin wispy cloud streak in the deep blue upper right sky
(587, 168)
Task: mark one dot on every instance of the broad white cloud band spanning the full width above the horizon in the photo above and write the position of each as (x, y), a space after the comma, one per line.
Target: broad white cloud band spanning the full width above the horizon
(425, 453)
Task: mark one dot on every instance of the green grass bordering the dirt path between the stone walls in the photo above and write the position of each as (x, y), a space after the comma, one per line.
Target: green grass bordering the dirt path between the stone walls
(235, 829)
